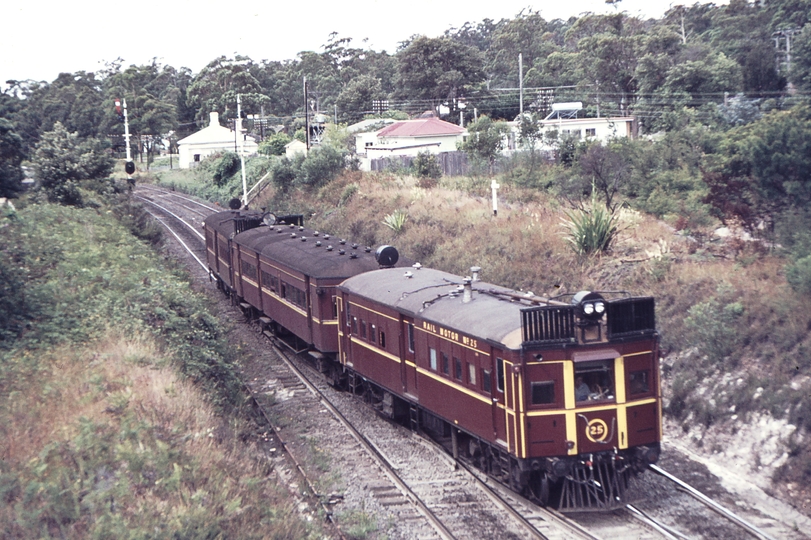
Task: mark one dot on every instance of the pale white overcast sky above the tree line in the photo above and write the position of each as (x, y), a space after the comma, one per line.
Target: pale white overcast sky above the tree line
(39, 39)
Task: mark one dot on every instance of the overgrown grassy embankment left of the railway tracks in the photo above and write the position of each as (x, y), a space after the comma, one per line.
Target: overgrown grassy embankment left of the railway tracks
(120, 413)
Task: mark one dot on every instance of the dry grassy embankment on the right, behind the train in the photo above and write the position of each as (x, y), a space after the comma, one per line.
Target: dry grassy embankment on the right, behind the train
(735, 335)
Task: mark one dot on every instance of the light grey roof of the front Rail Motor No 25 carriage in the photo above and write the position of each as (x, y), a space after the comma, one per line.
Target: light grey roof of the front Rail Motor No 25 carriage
(493, 313)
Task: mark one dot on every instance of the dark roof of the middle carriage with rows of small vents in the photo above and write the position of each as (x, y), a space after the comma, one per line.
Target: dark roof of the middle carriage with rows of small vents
(310, 252)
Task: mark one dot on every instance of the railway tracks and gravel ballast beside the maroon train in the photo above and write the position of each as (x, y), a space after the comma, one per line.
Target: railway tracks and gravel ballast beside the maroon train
(415, 484)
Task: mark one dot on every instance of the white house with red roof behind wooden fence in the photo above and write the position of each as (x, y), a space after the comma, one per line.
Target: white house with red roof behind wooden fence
(409, 138)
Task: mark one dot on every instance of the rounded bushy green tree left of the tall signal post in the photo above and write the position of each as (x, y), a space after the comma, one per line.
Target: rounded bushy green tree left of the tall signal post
(62, 161)
